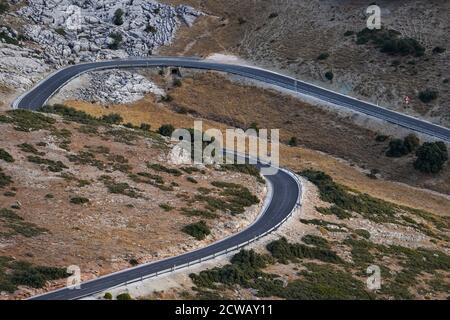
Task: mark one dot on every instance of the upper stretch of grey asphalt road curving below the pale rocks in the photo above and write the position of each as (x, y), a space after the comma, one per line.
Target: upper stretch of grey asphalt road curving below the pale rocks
(40, 94)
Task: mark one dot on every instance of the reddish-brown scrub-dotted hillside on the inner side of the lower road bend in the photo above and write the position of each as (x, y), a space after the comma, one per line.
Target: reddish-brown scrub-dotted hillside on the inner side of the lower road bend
(85, 191)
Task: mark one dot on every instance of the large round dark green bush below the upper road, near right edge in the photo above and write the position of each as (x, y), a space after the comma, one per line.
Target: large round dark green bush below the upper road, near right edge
(431, 157)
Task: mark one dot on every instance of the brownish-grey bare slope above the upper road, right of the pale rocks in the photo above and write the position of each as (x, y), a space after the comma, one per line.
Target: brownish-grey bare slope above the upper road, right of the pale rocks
(288, 36)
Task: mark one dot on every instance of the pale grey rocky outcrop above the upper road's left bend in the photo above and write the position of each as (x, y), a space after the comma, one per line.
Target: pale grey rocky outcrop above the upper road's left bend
(38, 36)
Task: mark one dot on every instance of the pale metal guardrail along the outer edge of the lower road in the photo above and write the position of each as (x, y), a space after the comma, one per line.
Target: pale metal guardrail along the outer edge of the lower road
(221, 253)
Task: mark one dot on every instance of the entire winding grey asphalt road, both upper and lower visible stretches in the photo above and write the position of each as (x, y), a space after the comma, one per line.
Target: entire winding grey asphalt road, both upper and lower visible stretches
(285, 188)
